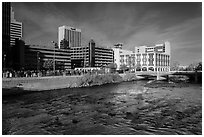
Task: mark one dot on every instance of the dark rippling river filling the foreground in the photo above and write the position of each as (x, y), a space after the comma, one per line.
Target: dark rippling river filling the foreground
(126, 108)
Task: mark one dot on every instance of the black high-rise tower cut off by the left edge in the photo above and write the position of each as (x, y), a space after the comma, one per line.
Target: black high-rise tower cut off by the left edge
(6, 13)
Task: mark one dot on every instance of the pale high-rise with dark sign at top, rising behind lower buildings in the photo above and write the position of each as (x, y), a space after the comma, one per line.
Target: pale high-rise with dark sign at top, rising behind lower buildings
(72, 35)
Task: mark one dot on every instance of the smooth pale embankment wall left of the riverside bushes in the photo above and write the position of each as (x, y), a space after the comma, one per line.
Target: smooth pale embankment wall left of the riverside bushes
(39, 83)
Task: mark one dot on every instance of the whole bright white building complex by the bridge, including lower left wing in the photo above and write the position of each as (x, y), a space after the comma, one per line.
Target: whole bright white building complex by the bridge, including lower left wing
(154, 58)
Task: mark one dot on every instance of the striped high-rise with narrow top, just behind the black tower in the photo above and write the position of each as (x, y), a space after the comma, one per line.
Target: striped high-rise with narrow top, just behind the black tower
(16, 29)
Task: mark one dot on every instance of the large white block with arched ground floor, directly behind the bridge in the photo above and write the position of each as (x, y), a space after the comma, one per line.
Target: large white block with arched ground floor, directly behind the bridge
(154, 58)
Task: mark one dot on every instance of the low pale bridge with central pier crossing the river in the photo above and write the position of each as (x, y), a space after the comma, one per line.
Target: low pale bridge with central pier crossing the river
(193, 75)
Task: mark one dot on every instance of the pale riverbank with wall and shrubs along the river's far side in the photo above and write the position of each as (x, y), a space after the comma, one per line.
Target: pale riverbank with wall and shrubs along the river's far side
(18, 85)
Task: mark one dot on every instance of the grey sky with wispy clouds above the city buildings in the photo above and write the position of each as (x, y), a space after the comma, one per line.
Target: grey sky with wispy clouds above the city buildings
(133, 24)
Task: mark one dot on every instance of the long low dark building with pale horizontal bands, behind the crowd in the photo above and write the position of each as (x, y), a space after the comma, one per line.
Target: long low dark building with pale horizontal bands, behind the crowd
(35, 56)
